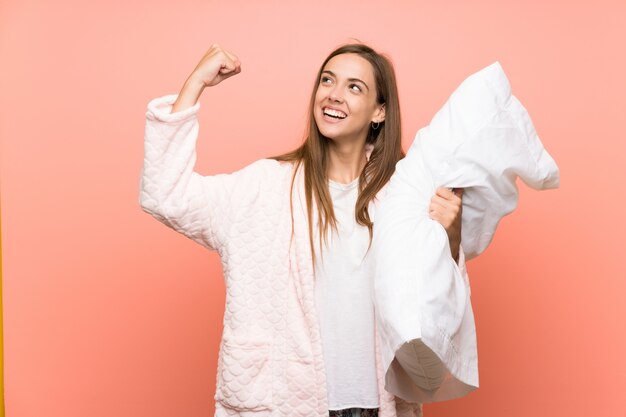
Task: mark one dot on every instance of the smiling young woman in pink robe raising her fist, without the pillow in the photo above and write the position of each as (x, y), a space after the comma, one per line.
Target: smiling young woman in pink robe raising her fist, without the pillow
(293, 233)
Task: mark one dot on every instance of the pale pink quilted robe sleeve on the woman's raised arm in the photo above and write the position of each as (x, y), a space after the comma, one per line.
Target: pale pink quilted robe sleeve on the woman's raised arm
(199, 207)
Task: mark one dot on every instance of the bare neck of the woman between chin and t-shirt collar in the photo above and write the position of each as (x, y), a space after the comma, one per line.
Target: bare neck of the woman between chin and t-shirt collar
(346, 161)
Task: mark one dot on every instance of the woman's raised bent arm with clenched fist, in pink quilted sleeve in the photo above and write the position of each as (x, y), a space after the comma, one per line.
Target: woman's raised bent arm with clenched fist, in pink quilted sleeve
(170, 189)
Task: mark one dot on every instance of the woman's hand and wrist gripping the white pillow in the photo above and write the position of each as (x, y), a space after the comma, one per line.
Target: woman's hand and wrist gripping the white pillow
(446, 208)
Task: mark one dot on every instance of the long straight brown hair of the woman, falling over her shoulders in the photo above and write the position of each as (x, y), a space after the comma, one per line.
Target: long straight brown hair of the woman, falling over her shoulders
(386, 152)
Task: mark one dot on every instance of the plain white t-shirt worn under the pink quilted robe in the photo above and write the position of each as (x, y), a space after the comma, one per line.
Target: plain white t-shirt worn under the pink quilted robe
(343, 298)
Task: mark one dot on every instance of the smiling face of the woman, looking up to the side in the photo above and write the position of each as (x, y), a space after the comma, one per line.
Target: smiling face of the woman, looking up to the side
(345, 100)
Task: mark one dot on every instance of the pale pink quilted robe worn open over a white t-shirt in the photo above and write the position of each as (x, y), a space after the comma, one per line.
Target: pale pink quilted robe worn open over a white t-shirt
(270, 360)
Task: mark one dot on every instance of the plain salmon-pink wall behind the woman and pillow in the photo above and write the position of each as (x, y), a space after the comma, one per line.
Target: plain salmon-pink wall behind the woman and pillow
(107, 312)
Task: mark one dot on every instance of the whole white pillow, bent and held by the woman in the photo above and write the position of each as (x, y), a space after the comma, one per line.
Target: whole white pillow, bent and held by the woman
(481, 140)
